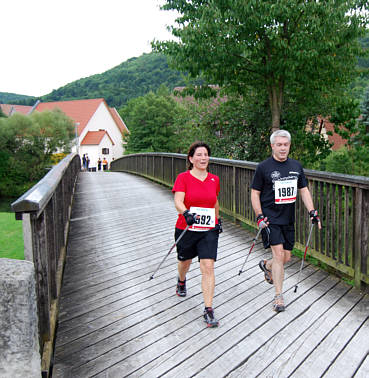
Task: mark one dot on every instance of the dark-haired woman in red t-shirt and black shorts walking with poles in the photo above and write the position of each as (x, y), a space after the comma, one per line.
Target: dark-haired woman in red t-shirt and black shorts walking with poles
(196, 200)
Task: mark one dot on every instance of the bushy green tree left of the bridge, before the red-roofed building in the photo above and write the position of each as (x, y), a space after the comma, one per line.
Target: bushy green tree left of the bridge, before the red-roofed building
(27, 144)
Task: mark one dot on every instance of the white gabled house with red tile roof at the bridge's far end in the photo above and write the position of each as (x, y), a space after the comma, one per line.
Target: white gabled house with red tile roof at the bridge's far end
(99, 129)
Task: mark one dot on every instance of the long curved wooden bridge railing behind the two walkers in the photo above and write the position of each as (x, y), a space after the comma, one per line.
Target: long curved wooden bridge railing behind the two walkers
(342, 201)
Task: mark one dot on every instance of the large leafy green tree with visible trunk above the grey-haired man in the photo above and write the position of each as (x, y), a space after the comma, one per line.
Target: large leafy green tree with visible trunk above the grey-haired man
(296, 50)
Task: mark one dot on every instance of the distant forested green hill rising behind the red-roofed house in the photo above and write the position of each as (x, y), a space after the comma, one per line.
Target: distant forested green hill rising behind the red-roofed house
(132, 78)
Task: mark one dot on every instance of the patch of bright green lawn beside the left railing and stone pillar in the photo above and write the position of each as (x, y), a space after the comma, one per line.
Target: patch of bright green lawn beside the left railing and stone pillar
(11, 237)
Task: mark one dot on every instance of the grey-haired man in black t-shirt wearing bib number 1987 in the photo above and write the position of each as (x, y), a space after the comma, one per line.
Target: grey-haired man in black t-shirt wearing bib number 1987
(274, 189)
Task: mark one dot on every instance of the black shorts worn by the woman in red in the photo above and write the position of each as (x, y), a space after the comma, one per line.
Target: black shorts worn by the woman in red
(203, 244)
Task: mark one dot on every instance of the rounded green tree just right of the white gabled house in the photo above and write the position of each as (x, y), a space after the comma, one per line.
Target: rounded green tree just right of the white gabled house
(150, 121)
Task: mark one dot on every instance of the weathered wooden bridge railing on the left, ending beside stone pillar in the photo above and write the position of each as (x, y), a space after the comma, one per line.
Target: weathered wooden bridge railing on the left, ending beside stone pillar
(45, 212)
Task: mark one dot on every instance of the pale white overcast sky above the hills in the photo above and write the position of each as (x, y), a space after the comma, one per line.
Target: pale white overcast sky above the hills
(46, 44)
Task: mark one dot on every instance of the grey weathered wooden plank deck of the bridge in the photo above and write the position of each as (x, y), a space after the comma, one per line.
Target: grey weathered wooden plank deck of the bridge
(115, 322)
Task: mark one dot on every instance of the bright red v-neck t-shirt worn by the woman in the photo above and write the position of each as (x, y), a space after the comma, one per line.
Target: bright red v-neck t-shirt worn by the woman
(197, 193)
